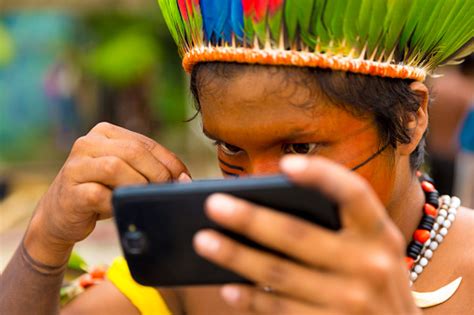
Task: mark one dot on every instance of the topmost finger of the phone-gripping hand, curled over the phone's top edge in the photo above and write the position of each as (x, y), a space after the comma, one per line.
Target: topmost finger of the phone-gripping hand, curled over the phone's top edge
(358, 203)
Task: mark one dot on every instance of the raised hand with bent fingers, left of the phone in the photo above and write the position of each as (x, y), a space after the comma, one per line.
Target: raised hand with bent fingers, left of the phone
(106, 158)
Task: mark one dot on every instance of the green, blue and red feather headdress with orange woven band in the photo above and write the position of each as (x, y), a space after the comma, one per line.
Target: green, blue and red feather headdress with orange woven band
(404, 39)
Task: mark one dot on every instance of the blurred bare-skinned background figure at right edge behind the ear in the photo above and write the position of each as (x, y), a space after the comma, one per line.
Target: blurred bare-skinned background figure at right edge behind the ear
(454, 95)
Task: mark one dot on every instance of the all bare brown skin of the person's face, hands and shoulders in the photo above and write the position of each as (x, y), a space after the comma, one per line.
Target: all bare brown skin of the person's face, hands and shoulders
(380, 205)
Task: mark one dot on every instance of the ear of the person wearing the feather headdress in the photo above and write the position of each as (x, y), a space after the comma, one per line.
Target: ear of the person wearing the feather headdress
(418, 122)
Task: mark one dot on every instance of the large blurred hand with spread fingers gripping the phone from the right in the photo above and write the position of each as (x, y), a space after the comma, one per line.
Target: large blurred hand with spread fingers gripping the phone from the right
(358, 270)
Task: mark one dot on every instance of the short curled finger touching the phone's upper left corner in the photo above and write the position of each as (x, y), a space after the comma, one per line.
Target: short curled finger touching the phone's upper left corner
(94, 197)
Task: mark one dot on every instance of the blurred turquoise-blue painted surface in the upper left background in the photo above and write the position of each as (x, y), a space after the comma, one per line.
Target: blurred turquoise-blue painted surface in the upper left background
(39, 38)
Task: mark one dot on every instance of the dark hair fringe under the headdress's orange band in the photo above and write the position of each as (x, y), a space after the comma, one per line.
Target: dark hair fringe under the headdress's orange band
(391, 102)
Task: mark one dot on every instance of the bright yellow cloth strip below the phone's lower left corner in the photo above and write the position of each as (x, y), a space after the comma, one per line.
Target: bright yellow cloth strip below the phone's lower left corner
(148, 300)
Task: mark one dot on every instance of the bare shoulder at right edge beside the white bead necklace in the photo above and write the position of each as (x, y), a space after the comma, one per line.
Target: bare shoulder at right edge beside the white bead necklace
(453, 259)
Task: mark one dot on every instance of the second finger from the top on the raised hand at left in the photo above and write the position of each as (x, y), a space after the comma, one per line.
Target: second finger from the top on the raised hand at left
(131, 151)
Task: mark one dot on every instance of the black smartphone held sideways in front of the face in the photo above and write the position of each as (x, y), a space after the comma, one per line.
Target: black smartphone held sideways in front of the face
(157, 223)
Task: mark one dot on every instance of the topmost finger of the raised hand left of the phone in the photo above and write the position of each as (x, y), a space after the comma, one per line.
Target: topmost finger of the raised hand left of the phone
(166, 157)
